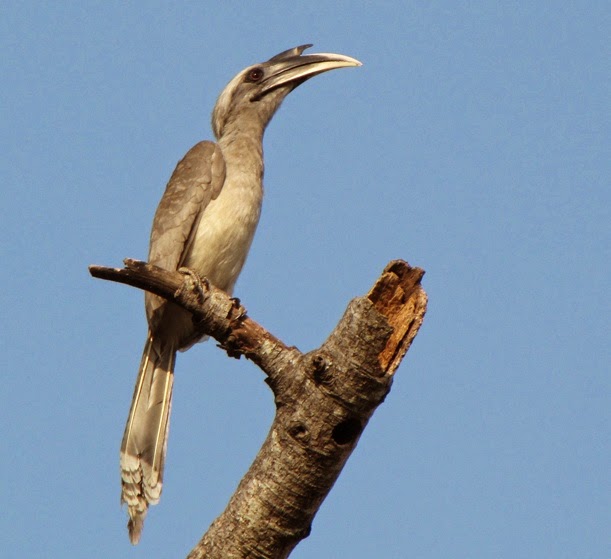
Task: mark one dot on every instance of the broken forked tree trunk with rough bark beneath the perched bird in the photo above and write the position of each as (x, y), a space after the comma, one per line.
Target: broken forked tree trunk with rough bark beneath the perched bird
(324, 399)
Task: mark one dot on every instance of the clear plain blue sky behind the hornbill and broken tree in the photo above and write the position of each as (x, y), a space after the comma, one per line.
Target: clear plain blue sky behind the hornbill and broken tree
(473, 142)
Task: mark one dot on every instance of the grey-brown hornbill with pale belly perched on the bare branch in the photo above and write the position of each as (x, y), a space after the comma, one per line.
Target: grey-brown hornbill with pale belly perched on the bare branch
(205, 222)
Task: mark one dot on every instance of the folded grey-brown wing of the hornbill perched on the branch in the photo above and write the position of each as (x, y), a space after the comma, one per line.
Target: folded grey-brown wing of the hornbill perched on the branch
(197, 179)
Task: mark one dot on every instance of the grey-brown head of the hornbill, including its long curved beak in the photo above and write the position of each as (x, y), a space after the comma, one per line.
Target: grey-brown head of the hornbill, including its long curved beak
(252, 97)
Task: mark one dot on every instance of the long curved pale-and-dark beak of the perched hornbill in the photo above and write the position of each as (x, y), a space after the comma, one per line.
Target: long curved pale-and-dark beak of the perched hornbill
(291, 68)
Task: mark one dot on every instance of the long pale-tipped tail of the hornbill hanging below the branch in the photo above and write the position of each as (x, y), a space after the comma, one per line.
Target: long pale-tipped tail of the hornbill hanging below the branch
(145, 440)
